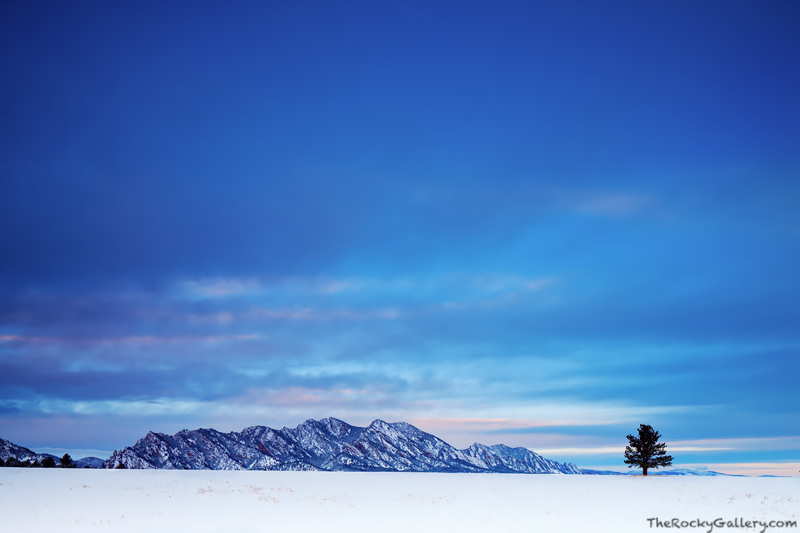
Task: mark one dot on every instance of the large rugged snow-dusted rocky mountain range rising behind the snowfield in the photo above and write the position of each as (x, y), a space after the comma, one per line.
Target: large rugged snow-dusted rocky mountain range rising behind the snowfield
(328, 444)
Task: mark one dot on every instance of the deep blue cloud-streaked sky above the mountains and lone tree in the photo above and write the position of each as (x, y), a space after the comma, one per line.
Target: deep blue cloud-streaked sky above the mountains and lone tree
(504, 222)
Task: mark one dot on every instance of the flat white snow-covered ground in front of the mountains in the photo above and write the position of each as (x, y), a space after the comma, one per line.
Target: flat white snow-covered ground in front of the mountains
(57, 500)
